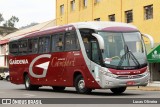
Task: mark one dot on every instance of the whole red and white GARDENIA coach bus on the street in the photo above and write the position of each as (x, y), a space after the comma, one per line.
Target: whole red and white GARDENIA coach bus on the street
(84, 55)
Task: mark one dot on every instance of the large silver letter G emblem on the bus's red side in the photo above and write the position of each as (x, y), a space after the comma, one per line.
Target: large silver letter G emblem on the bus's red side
(44, 66)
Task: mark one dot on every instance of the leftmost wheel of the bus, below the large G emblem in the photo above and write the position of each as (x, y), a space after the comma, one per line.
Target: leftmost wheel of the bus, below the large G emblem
(28, 85)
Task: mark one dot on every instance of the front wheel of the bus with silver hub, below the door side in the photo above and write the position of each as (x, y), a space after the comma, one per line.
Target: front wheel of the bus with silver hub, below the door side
(80, 85)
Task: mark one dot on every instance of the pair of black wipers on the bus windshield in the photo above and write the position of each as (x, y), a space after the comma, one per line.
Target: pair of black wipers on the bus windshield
(128, 55)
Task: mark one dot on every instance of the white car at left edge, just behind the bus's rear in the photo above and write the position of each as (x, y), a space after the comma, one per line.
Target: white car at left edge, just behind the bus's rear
(4, 73)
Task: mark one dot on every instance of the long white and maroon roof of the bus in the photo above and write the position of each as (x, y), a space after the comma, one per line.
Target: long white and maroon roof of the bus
(96, 25)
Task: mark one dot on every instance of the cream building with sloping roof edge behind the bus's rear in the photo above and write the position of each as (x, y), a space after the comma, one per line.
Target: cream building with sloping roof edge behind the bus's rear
(4, 51)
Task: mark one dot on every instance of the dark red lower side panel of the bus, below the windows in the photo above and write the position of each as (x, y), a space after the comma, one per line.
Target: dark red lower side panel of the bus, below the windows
(60, 72)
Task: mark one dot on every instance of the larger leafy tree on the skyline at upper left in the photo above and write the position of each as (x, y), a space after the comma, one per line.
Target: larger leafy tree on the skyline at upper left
(11, 22)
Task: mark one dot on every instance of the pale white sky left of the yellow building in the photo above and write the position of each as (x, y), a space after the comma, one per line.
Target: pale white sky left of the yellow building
(28, 11)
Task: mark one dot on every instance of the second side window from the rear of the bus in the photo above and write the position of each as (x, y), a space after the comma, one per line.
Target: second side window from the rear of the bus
(23, 47)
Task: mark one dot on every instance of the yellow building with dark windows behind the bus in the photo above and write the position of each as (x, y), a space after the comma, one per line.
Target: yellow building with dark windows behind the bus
(142, 13)
